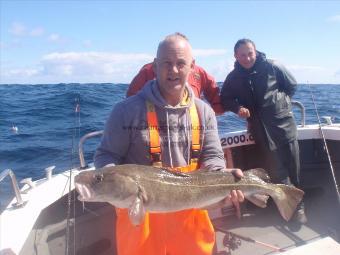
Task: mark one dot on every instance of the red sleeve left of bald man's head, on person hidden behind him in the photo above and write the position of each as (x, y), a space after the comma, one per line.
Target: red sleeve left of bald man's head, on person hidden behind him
(145, 74)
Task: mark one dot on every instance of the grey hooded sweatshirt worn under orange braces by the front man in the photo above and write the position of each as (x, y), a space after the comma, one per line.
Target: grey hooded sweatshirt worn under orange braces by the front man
(126, 135)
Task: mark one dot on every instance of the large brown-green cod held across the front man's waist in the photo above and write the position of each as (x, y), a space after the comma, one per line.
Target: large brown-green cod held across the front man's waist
(148, 189)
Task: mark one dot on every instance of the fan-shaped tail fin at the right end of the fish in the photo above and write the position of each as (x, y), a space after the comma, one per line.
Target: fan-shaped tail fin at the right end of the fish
(286, 199)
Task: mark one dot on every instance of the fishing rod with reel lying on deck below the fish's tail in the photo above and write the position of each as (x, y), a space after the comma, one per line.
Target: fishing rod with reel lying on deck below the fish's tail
(234, 244)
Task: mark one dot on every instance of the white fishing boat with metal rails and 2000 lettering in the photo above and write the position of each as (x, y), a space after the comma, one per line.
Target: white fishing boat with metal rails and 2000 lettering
(44, 216)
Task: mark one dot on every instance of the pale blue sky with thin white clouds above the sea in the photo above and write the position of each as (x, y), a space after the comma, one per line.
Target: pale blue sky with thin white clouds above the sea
(108, 41)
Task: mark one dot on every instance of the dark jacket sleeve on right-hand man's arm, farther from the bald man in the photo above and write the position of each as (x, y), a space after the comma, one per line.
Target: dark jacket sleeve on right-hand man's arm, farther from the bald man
(287, 81)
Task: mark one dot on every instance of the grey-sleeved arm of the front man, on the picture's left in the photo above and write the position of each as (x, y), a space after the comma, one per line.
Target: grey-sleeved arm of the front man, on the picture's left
(115, 140)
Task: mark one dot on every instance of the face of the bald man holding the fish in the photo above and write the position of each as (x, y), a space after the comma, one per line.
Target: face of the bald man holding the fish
(173, 65)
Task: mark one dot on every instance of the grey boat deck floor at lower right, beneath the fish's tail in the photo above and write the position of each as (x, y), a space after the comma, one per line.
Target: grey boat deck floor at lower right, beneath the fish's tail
(268, 227)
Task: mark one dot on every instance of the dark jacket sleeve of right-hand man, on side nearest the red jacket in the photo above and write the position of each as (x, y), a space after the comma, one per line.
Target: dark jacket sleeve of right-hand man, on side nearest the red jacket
(228, 96)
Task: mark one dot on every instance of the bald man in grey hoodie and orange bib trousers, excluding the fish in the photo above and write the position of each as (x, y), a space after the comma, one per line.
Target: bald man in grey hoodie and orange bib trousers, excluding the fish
(165, 125)
